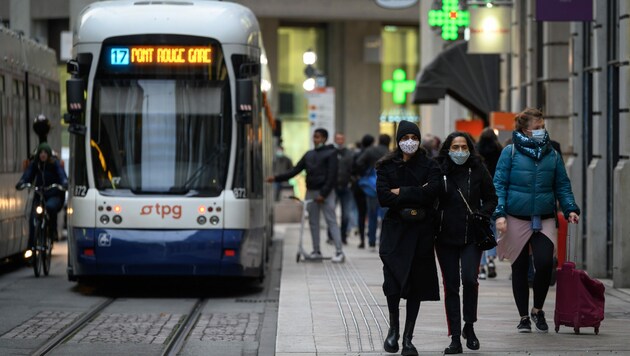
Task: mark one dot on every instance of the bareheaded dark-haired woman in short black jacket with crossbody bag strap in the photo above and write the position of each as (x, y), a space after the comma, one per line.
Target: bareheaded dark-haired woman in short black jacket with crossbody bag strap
(463, 172)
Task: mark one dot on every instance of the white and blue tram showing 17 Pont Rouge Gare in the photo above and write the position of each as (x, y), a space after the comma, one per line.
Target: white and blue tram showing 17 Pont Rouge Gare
(170, 142)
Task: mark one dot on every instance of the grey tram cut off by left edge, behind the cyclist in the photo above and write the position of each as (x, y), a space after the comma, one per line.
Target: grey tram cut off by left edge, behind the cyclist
(29, 86)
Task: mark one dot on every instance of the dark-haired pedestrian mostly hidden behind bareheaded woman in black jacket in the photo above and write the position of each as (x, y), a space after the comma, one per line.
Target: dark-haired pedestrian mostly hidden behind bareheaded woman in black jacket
(489, 148)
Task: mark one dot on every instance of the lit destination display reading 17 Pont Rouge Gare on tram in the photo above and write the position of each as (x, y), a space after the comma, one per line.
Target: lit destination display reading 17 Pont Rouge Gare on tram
(159, 55)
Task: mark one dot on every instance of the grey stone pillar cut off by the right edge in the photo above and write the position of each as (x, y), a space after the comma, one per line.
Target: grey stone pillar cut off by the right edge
(621, 237)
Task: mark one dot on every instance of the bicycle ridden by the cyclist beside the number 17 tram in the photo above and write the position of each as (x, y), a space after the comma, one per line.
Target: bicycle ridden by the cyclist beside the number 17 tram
(42, 238)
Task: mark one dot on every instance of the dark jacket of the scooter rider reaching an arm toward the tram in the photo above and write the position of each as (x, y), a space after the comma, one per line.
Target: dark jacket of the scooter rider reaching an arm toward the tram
(321, 169)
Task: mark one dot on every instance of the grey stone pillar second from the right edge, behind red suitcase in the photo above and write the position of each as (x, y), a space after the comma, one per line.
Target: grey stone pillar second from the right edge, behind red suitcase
(596, 244)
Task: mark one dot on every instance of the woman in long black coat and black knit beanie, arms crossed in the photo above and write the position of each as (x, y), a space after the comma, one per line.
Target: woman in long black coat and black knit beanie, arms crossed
(407, 179)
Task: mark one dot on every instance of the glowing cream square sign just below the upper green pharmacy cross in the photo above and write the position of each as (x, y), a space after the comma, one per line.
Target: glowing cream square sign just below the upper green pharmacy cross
(489, 30)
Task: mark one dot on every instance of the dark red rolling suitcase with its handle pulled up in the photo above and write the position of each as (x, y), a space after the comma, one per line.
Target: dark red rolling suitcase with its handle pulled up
(579, 298)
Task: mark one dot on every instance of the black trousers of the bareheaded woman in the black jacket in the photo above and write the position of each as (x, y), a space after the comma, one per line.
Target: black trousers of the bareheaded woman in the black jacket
(456, 261)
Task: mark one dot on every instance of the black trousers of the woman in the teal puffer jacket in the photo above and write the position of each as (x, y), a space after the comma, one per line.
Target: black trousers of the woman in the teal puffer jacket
(542, 251)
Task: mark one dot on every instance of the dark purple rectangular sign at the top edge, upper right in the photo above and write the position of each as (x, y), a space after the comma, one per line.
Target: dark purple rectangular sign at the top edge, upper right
(564, 10)
